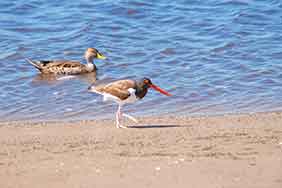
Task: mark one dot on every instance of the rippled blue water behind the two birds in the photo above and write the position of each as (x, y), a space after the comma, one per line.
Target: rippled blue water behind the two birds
(214, 56)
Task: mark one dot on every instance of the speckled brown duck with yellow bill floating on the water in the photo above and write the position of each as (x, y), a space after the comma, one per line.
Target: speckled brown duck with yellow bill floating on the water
(67, 66)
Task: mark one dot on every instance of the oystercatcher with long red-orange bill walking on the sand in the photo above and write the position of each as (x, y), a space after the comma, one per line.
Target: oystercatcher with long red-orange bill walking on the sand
(125, 91)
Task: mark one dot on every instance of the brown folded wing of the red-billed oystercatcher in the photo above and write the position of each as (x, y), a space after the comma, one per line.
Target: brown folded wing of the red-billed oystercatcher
(118, 88)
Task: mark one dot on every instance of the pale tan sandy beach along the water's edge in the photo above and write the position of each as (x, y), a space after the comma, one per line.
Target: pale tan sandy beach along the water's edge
(224, 151)
